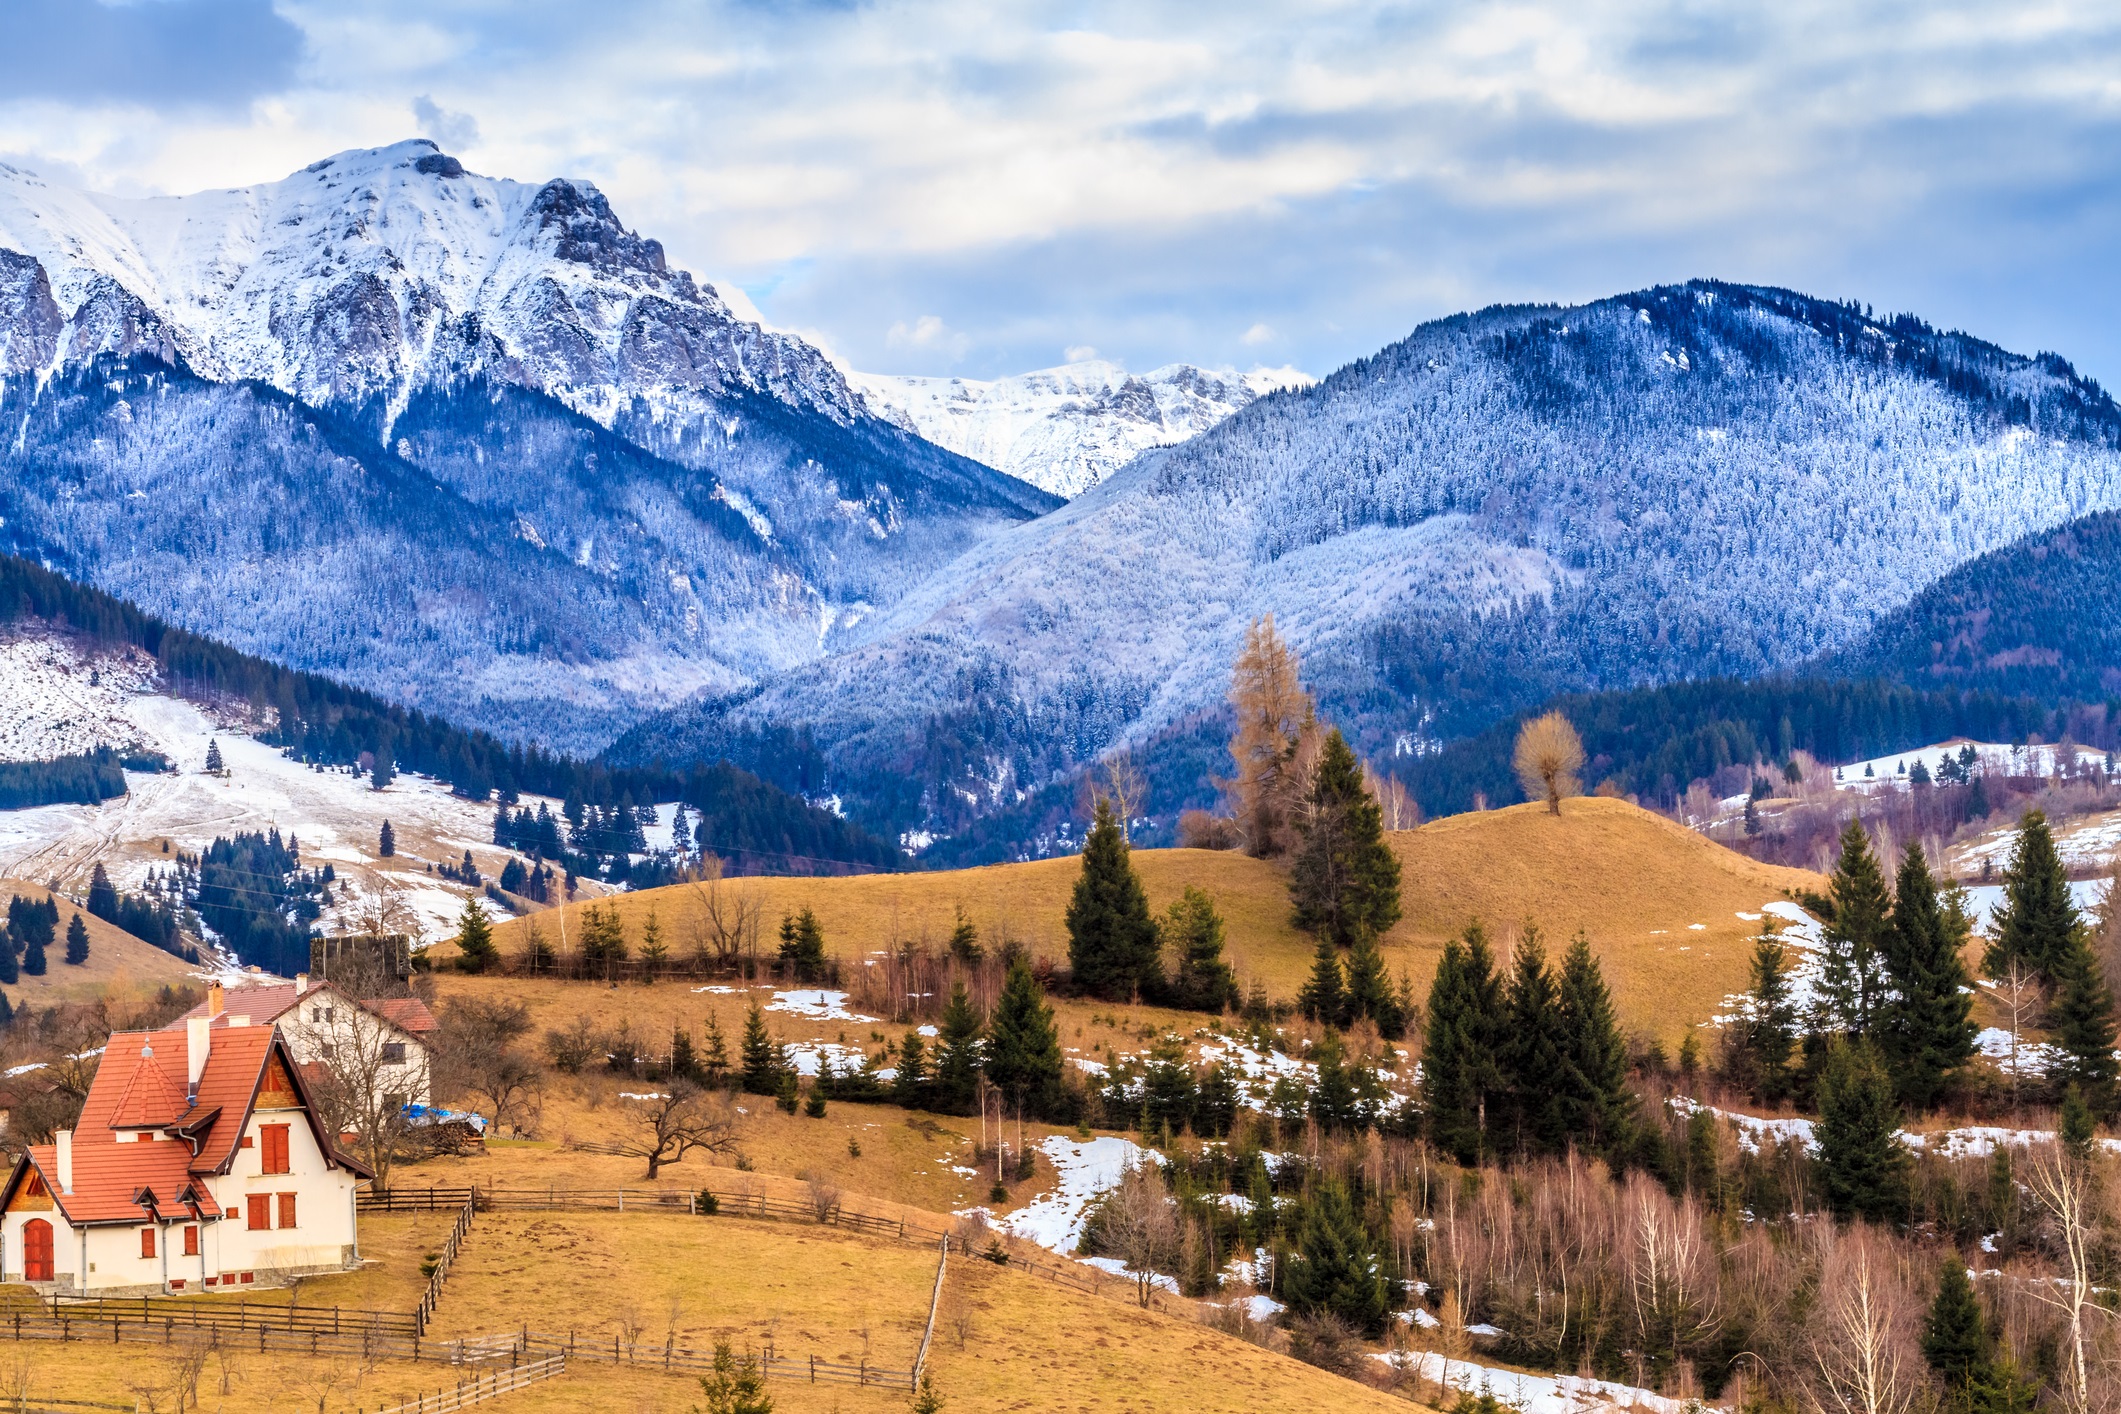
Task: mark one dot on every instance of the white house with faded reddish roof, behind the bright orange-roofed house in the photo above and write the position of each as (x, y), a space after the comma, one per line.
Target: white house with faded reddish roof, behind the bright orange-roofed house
(383, 1042)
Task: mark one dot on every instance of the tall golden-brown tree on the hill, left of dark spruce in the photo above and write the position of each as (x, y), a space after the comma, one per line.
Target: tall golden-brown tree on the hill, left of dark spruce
(1276, 726)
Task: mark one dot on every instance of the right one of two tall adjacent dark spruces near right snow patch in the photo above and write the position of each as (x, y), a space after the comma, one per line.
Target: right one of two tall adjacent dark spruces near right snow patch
(1925, 1025)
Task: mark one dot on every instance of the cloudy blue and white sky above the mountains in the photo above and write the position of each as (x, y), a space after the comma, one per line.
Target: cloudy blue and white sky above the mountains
(939, 188)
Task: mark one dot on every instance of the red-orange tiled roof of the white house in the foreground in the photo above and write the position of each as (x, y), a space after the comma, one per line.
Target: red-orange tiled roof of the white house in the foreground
(139, 1078)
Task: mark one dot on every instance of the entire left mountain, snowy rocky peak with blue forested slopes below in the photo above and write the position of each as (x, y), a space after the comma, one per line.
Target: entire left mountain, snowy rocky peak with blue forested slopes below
(466, 442)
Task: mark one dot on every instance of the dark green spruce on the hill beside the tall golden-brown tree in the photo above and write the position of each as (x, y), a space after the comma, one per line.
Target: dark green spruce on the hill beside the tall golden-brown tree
(1346, 879)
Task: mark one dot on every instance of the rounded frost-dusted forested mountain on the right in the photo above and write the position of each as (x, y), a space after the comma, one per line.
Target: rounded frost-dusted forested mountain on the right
(1681, 482)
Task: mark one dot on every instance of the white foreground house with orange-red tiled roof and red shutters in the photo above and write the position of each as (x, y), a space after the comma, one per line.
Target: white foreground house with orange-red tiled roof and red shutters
(198, 1163)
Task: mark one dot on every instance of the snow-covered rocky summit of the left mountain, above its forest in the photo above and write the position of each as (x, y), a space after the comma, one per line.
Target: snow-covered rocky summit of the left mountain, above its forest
(374, 272)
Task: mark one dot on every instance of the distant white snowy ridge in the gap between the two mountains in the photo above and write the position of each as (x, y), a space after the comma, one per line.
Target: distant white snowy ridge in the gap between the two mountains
(1072, 427)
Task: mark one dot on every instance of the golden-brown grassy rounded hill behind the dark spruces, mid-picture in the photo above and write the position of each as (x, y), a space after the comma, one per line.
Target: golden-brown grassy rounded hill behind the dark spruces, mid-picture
(1634, 881)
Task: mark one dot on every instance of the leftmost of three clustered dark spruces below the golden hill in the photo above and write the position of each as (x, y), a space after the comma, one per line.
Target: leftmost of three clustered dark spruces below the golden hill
(1460, 1042)
